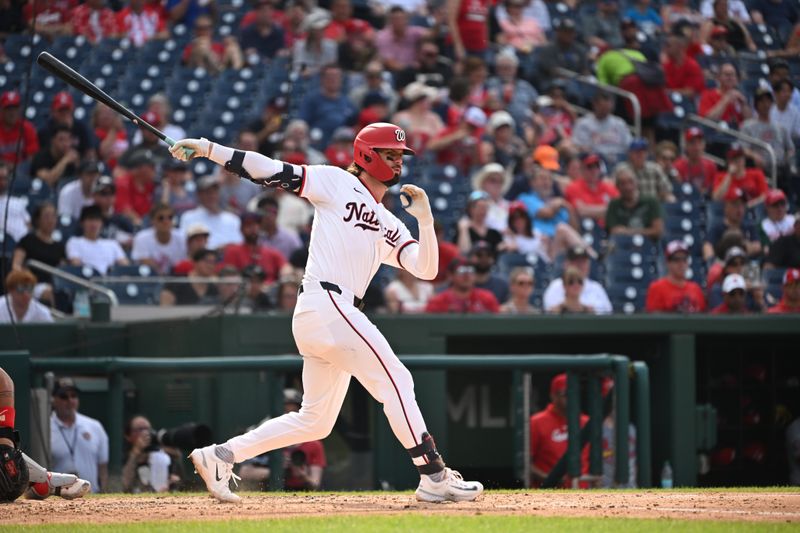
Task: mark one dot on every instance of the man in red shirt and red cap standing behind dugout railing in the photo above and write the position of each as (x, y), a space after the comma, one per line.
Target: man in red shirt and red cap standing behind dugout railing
(549, 433)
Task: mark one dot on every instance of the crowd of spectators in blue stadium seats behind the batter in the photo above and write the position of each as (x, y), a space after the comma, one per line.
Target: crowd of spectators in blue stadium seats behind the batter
(552, 193)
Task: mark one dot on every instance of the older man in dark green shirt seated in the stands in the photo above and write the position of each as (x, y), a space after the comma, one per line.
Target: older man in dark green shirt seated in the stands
(633, 213)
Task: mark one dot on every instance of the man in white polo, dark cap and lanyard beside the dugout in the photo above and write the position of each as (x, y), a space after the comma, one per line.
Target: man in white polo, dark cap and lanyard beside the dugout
(78, 444)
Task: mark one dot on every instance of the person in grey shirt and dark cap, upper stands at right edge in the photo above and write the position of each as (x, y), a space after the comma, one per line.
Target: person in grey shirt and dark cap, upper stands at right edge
(761, 127)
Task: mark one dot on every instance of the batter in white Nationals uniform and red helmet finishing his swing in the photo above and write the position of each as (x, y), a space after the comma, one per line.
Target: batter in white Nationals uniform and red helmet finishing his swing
(352, 234)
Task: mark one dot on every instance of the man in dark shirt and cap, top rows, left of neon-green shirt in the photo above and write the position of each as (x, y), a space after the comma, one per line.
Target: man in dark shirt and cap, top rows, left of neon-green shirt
(565, 52)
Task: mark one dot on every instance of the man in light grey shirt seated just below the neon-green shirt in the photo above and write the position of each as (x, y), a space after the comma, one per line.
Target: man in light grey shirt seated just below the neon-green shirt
(602, 132)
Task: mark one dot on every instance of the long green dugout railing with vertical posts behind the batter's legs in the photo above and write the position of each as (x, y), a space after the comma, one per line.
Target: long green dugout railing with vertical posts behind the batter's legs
(589, 368)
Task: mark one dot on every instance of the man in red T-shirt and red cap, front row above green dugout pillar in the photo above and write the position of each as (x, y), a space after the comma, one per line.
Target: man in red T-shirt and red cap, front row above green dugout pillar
(674, 293)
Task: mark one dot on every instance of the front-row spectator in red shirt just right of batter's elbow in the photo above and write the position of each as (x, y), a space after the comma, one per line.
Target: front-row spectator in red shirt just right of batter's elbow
(463, 296)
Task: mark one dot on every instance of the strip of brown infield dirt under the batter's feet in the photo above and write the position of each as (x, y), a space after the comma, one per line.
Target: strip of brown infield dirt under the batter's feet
(706, 505)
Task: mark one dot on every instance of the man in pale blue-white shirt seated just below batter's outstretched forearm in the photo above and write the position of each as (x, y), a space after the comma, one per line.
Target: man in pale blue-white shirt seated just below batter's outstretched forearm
(224, 226)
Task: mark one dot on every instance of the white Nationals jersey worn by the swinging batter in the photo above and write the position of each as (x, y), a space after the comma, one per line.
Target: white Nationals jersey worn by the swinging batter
(352, 234)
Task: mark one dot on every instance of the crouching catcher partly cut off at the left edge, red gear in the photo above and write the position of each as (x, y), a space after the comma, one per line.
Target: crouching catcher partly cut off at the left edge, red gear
(19, 473)
